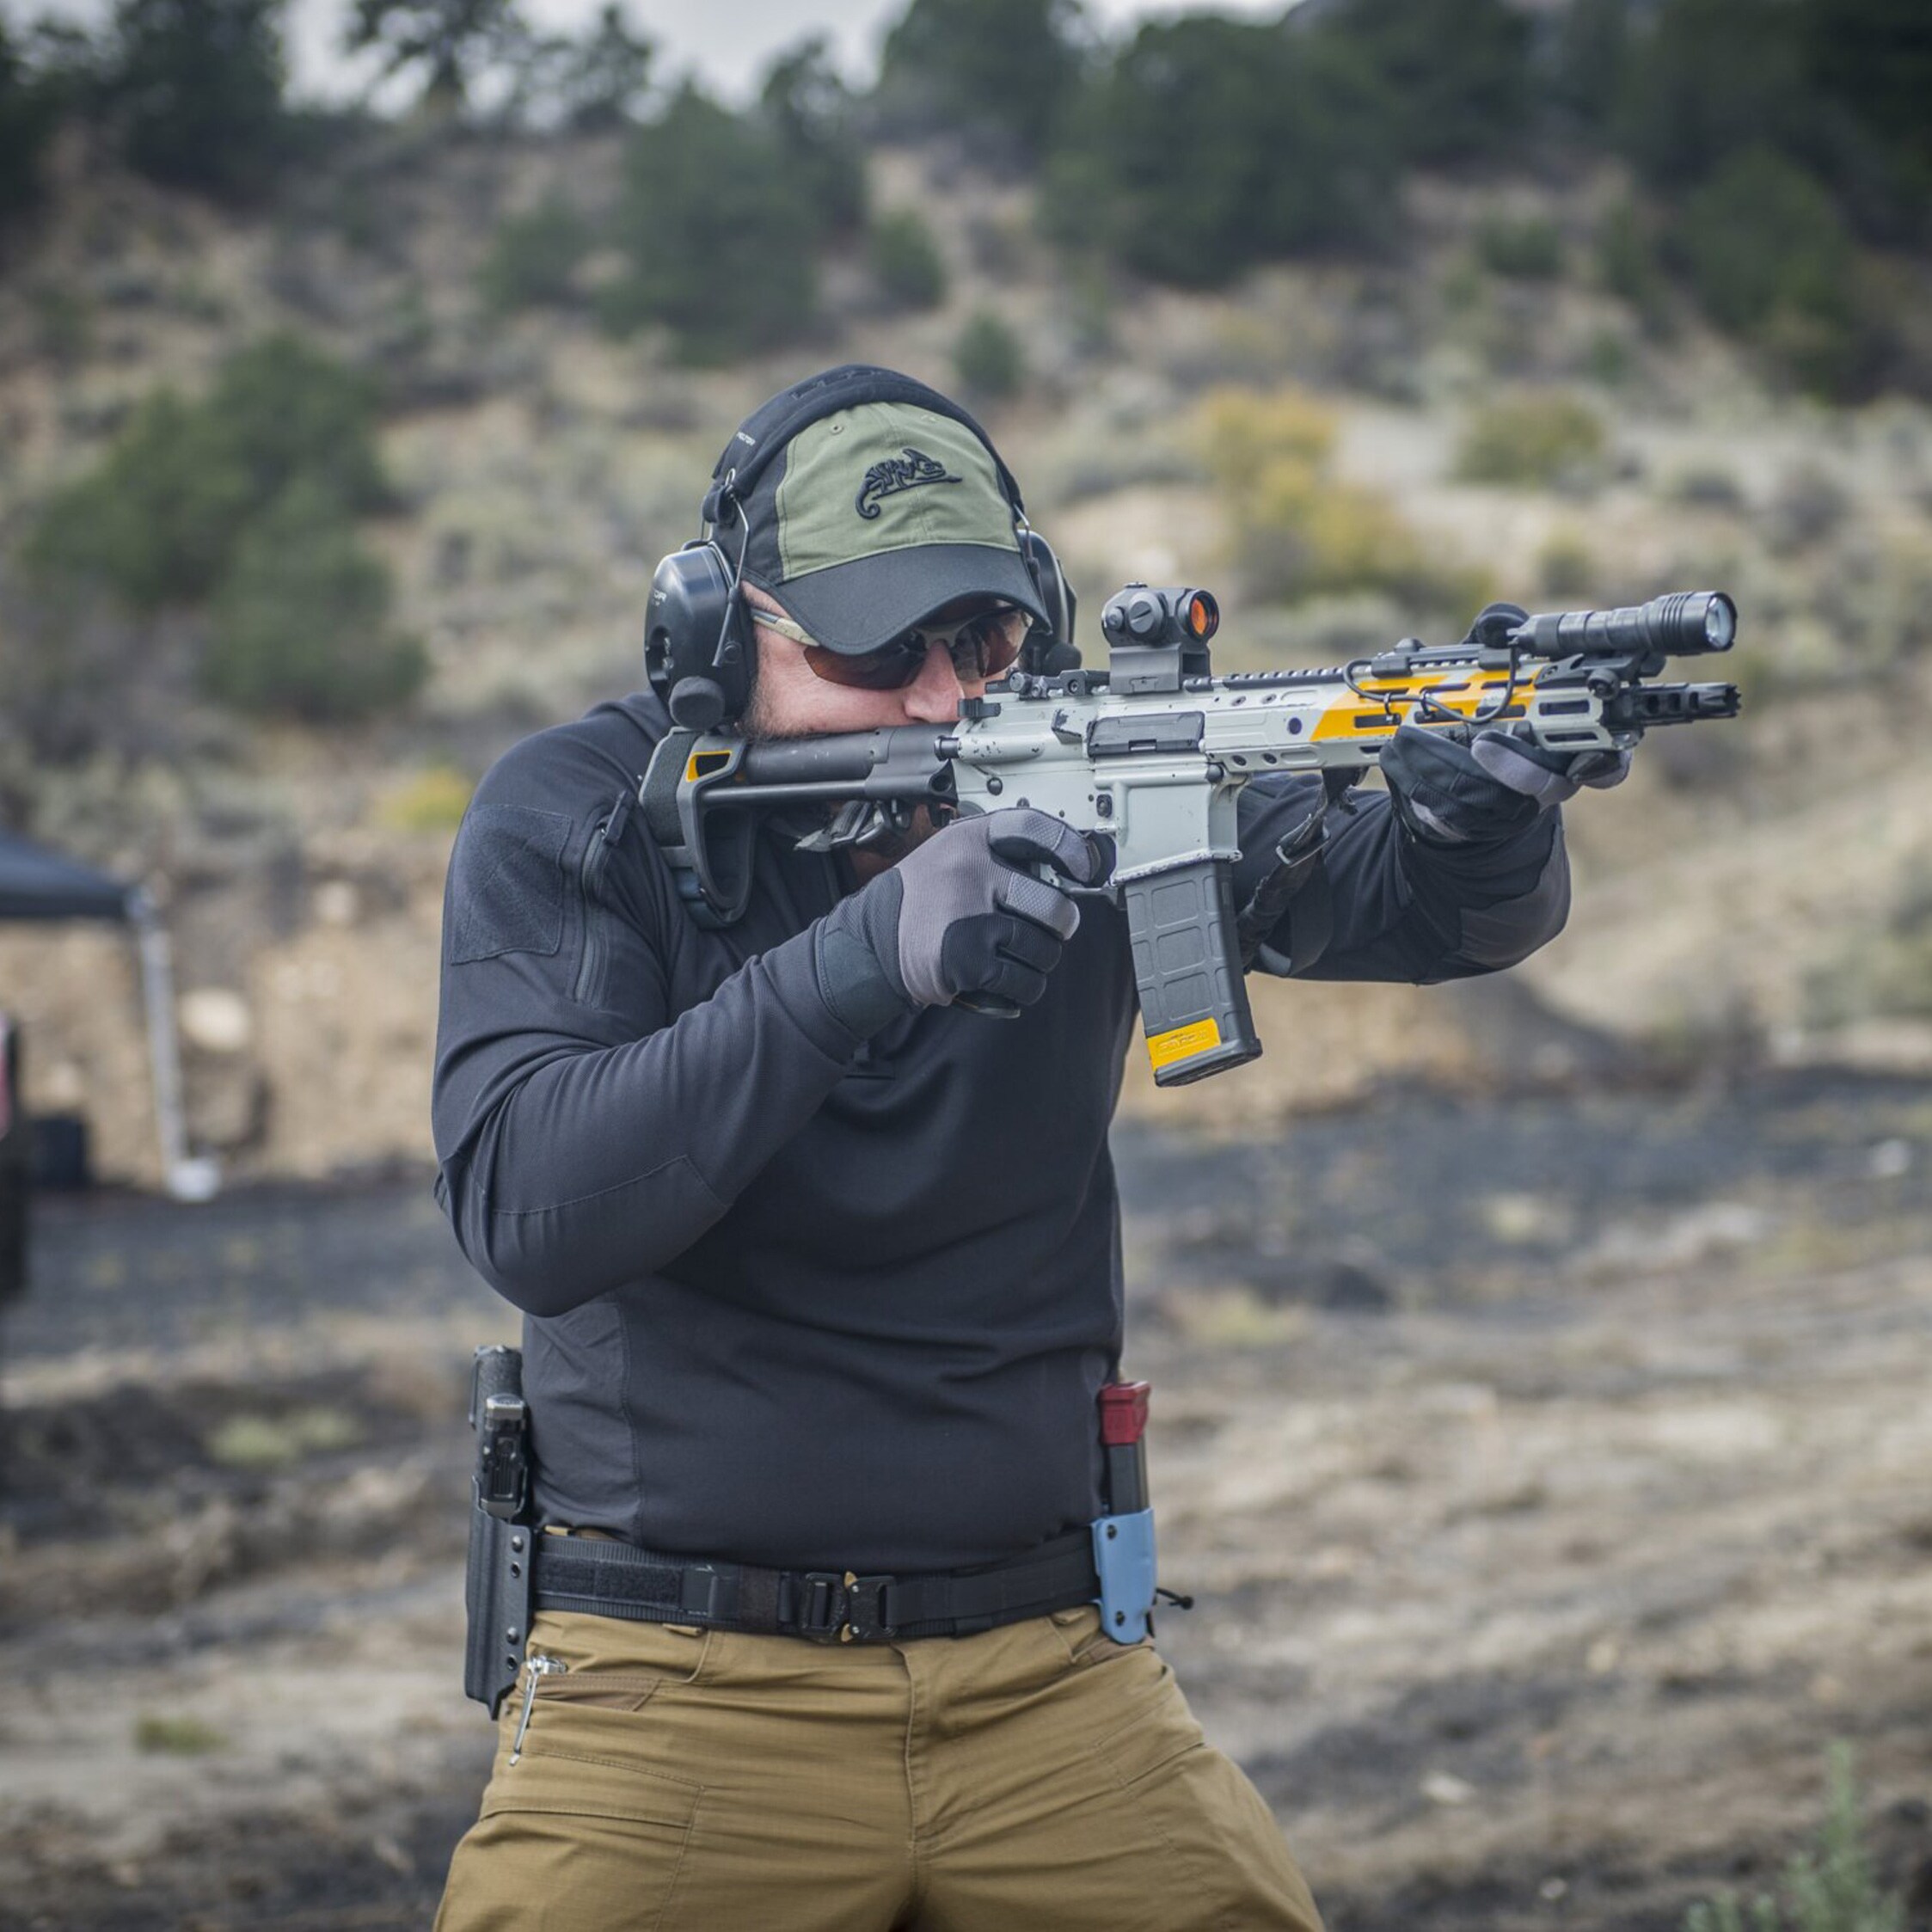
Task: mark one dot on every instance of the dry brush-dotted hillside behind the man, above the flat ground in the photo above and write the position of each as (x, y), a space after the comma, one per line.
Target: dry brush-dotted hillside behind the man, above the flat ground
(1757, 886)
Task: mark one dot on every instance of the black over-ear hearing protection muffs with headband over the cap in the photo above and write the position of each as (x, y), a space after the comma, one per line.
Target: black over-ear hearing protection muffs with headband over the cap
(698, 633)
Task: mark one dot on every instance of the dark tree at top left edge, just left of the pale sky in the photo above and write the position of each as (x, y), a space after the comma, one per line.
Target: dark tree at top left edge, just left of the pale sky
(196, 90)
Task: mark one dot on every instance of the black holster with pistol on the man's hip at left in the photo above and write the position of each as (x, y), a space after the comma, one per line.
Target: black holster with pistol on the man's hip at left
(497, 1585)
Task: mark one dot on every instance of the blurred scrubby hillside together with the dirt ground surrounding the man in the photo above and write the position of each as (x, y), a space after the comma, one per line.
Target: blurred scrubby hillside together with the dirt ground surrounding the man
(1541, 1365)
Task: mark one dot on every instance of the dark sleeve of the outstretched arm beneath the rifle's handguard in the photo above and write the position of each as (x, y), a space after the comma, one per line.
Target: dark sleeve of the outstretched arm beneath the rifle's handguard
(1398, 909)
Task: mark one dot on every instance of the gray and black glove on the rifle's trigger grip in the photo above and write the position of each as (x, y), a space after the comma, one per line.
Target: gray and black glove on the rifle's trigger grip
(955, 917)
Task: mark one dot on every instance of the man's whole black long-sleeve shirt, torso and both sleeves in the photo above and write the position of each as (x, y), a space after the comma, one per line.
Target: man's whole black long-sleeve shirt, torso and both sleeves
(797, 1297)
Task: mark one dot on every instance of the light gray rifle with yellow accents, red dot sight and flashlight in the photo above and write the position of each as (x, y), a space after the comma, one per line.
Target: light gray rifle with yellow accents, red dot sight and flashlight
(1154, 753)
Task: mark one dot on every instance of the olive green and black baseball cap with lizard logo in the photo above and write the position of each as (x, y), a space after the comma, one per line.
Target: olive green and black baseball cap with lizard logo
(865, 501)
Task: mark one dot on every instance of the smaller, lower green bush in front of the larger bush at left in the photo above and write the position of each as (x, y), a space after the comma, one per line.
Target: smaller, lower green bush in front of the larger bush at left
(300, 623)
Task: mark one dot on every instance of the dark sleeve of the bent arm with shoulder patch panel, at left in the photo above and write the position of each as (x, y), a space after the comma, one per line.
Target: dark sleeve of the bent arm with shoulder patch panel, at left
(586, 1133)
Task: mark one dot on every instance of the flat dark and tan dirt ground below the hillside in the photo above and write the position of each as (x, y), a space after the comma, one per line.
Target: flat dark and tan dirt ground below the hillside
(1552, 1475)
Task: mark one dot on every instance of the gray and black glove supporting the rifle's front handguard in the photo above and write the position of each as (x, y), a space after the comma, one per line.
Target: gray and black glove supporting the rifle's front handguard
(1452, 795)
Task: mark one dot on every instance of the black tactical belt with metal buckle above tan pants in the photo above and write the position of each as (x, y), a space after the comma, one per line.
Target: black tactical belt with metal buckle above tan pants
(828, 1606)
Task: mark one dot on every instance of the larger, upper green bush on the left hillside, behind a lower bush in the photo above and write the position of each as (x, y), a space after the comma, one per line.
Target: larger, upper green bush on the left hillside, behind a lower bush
(159, 517)
